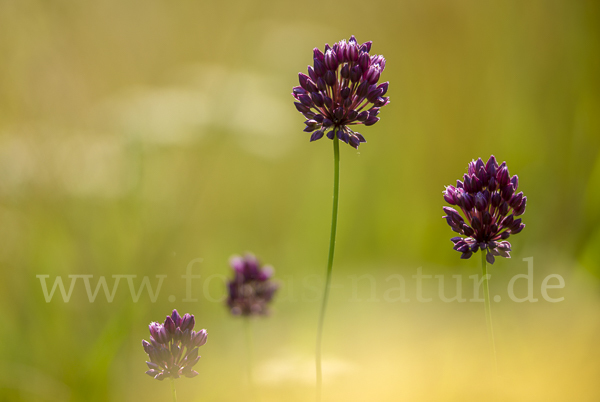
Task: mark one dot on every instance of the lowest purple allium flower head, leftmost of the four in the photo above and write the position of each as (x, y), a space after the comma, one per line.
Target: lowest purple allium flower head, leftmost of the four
(173, 347)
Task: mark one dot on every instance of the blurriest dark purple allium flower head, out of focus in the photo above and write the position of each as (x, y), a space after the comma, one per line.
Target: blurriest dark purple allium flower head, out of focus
(251, 289)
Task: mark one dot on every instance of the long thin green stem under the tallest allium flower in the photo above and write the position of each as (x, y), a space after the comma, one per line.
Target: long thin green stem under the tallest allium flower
(336, 189)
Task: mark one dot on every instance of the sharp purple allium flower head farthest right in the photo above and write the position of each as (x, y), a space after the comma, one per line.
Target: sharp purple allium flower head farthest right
(489, 202)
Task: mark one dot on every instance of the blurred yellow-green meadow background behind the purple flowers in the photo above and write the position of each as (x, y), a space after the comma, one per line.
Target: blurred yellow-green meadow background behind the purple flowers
(137, 136)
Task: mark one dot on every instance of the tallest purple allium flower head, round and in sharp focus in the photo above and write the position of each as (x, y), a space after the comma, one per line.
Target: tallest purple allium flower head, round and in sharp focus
(341, 90)
